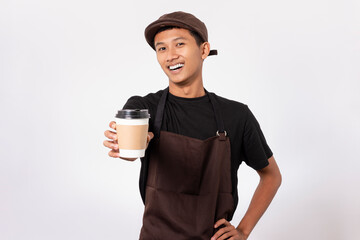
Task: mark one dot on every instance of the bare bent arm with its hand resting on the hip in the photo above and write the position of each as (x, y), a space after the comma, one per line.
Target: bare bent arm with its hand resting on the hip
(270, 180)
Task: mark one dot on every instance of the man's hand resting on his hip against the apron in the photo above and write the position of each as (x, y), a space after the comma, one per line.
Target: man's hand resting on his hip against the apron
(227, 232)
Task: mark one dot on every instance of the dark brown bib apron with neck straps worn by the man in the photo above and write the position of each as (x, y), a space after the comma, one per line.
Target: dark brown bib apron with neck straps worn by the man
(189, 183)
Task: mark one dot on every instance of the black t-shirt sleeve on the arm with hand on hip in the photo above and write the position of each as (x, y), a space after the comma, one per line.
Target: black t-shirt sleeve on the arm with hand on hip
(256, 150)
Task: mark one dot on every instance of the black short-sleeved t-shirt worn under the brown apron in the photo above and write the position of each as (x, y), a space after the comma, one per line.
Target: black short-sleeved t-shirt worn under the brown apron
(194, 117)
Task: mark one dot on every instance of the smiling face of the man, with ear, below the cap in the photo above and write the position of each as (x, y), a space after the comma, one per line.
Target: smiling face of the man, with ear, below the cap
(179, 56)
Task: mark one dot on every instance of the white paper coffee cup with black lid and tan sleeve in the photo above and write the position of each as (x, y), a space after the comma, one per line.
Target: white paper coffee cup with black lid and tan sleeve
(132, 129)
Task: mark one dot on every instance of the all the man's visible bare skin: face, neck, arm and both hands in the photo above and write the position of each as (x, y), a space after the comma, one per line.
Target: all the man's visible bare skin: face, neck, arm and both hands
(175, 46)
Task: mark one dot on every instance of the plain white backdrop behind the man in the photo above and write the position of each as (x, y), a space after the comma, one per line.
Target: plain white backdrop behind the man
(67, 66)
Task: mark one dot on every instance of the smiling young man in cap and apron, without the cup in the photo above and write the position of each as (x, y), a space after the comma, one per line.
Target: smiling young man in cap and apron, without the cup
(196, 142)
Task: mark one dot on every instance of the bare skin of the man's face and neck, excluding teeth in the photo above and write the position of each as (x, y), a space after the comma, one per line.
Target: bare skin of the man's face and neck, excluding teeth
(179, 46)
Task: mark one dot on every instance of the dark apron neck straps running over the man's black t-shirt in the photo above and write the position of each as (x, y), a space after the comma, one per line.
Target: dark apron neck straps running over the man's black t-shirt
(161, 106)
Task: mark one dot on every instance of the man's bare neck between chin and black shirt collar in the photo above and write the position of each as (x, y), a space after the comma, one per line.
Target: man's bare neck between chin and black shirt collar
(196, 89)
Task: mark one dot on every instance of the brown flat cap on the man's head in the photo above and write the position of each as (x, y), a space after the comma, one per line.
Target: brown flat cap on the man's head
(177, 19)
